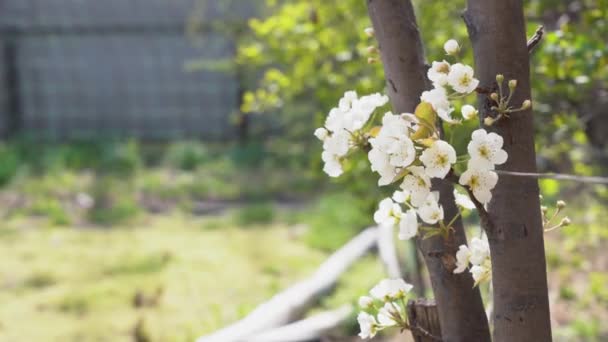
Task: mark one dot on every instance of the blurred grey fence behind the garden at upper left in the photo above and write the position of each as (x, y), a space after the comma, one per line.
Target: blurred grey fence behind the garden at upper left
(72, 69)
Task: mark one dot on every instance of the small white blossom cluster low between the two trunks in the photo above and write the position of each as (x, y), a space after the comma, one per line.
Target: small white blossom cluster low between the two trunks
(478, 256)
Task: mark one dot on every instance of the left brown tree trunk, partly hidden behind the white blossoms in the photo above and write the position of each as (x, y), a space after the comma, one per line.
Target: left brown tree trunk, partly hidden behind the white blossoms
(461, 313)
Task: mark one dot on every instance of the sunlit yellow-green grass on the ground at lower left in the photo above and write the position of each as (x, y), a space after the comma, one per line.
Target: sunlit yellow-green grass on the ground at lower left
(79, 284)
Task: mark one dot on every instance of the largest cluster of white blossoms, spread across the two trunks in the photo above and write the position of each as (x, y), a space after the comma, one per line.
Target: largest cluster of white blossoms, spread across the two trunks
(408, 148)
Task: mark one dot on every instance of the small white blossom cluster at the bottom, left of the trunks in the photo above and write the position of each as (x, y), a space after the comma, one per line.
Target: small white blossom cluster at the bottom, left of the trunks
(384, 308)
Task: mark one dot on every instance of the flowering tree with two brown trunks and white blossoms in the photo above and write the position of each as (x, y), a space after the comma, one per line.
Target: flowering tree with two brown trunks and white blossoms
(411, 152)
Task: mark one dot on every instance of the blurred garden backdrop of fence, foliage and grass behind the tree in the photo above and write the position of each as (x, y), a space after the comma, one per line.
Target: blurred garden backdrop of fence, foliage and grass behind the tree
(159, 177)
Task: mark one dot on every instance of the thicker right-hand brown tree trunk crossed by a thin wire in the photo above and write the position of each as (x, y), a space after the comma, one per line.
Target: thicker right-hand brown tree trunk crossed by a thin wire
(521, 306)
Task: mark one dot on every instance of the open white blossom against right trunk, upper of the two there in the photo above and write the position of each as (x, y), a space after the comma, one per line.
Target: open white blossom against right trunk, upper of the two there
(486, 150)
